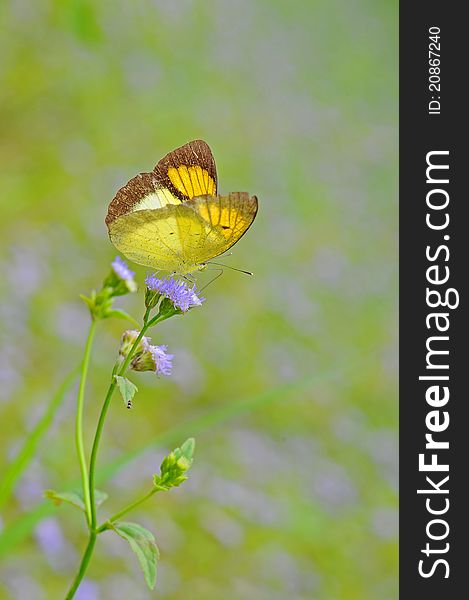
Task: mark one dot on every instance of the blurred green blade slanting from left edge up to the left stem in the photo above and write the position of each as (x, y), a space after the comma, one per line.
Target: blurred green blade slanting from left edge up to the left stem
(22, 459)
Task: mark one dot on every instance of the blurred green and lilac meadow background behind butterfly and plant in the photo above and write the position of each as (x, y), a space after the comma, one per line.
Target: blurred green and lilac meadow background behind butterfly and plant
(287, 379)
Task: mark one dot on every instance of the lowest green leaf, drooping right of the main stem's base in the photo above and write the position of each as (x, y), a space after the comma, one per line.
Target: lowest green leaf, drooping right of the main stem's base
(143, 545)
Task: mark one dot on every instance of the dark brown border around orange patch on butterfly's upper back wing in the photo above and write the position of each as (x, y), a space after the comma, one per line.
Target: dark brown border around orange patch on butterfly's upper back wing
(196, 152)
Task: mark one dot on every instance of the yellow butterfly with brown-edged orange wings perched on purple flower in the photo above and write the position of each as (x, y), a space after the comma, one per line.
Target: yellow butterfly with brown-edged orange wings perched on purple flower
(172, 218)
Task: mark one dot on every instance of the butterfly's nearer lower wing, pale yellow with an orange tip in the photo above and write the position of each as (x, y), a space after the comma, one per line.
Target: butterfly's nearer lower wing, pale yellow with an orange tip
(182, 237)
